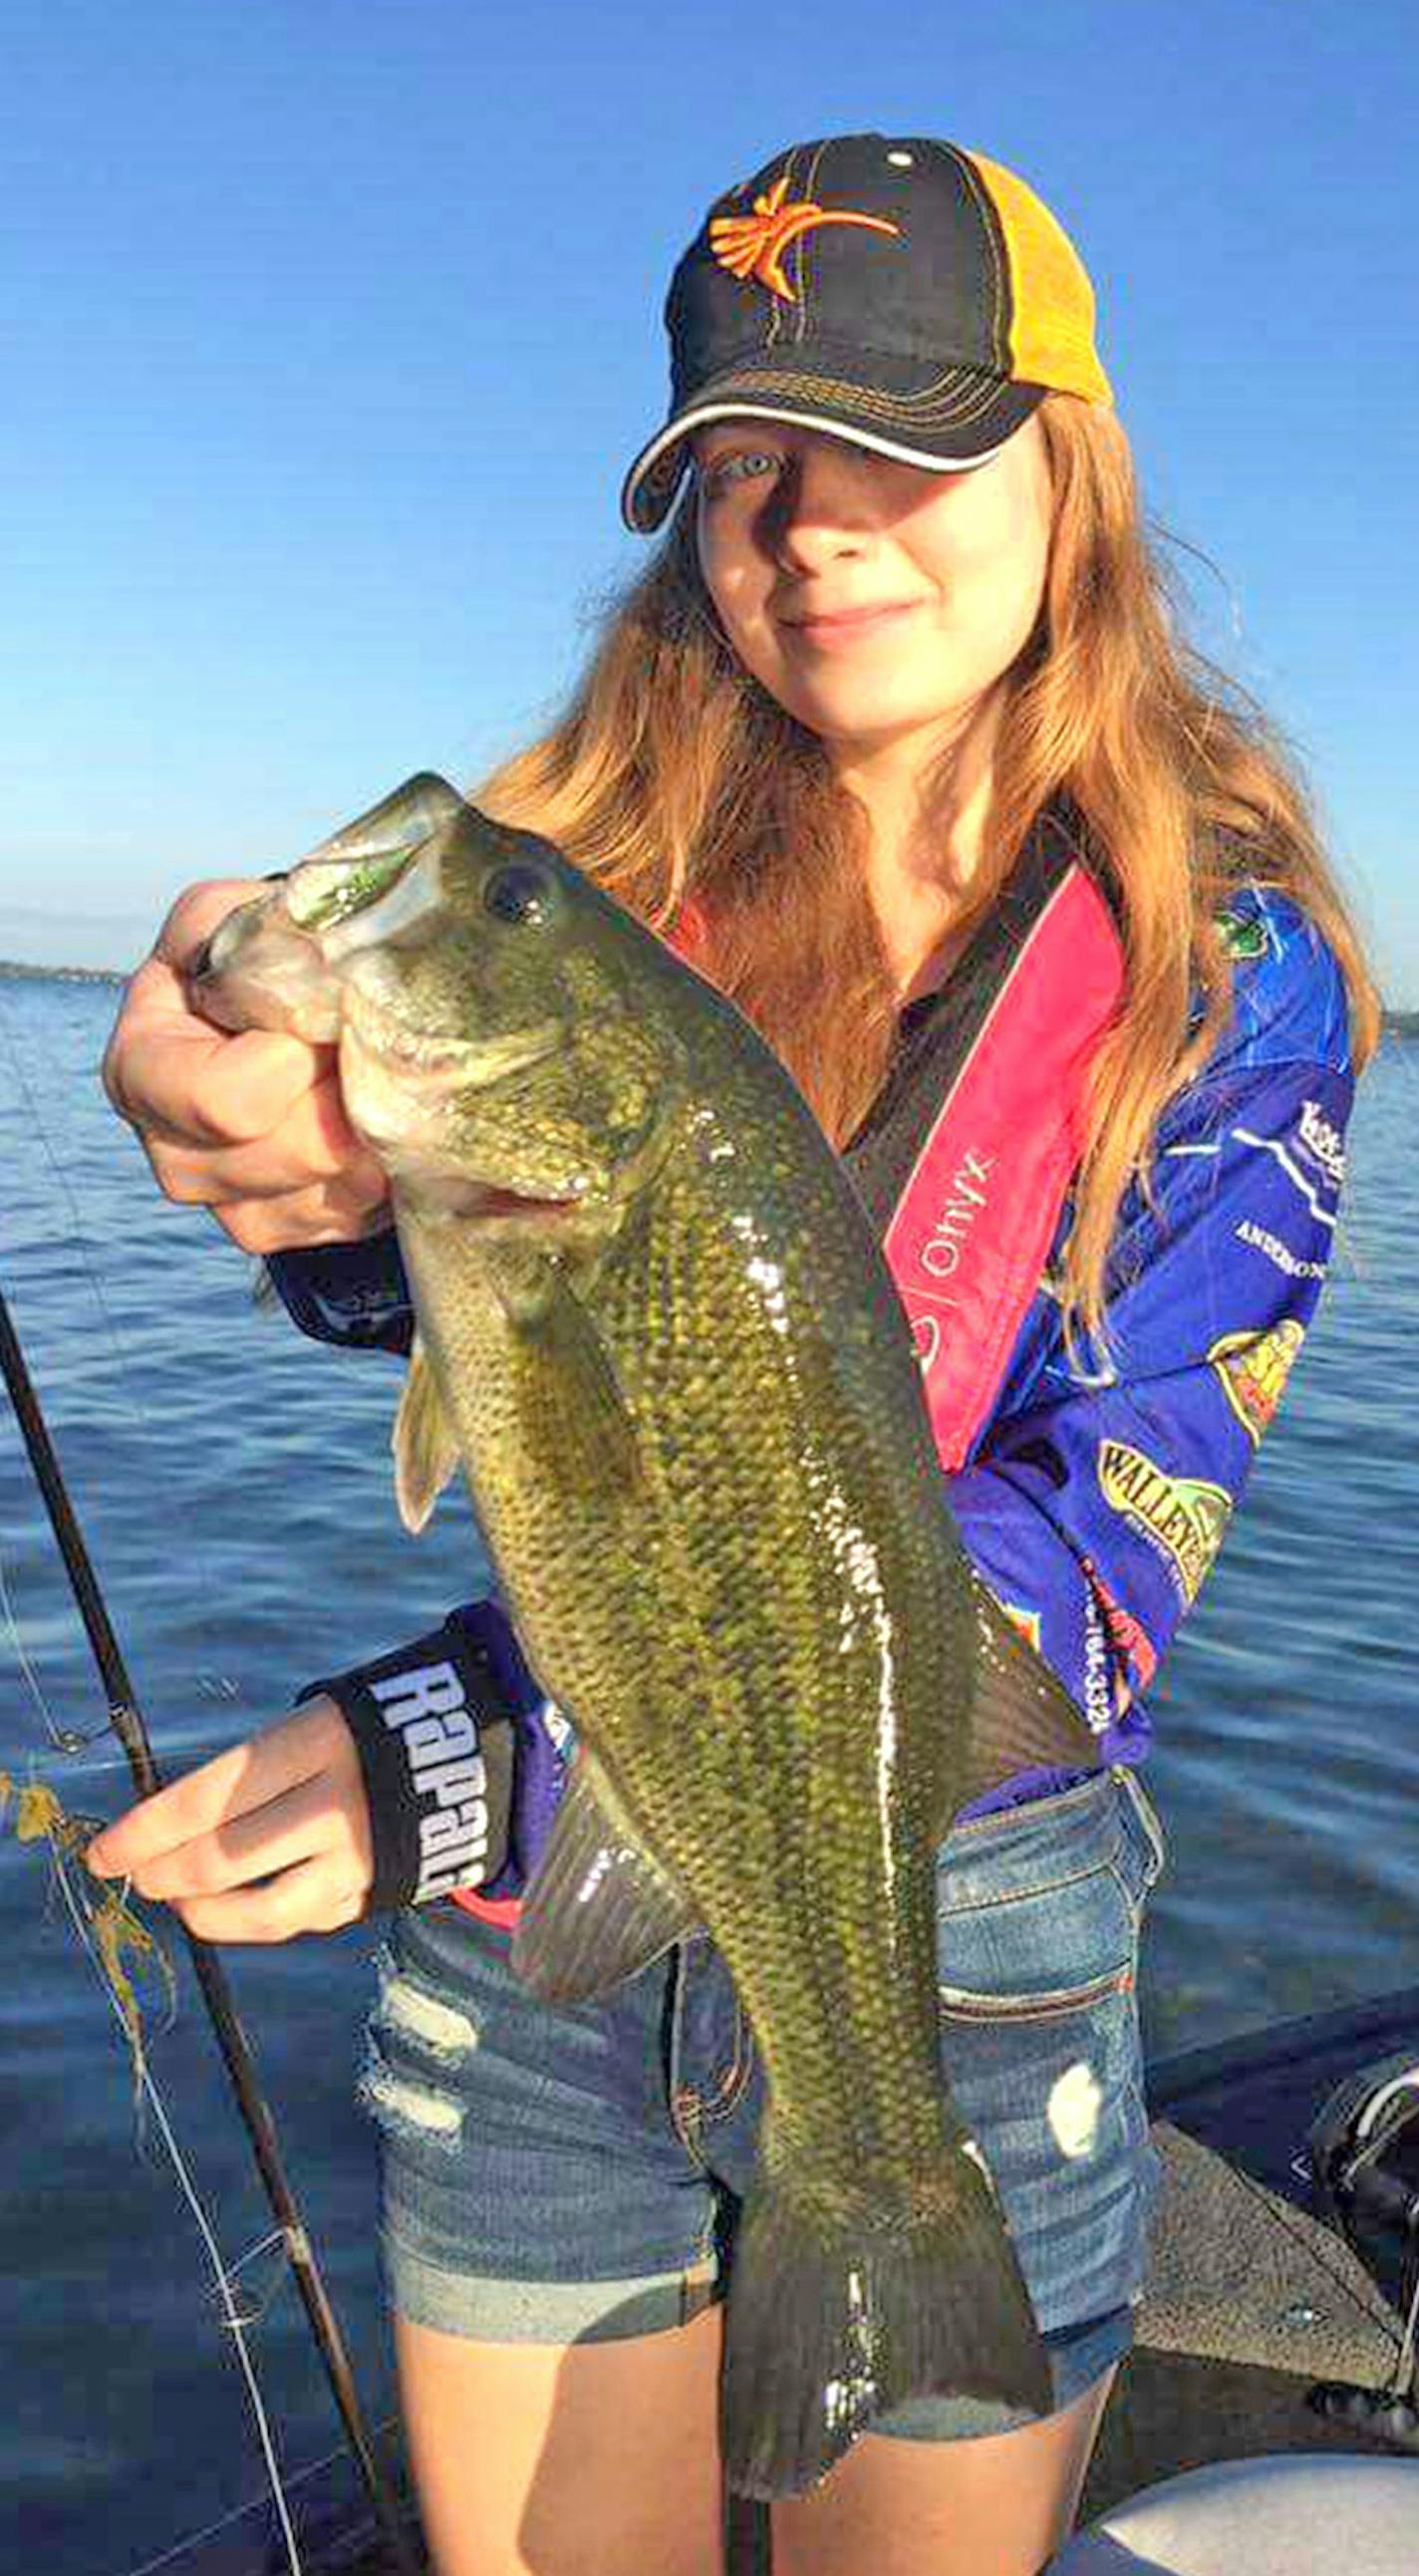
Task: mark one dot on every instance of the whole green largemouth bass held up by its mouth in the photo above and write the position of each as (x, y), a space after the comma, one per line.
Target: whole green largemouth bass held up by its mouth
(661, 1341)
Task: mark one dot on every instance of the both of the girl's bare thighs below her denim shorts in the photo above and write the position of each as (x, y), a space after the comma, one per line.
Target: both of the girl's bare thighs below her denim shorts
(604, 2461)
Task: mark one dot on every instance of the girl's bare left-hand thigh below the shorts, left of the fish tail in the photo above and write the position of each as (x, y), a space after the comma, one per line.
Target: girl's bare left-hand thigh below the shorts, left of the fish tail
(565, 2459)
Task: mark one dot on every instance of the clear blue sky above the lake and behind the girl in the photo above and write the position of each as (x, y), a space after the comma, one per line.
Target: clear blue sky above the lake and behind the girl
(334, 326)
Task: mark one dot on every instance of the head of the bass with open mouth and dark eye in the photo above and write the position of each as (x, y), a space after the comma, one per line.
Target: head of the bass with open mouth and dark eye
(506, 1029)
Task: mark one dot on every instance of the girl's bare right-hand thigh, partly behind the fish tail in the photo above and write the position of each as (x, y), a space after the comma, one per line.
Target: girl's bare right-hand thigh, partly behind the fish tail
(990, 2508)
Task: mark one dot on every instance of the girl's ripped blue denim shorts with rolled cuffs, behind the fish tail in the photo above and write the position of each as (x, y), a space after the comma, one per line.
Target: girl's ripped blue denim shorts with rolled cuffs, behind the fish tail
(570, 2175)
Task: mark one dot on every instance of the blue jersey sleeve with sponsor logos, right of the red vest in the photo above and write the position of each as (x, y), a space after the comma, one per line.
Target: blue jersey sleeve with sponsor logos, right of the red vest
(1101, 1493)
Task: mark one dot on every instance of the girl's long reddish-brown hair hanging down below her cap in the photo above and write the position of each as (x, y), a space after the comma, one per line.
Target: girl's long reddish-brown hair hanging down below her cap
(673, 774)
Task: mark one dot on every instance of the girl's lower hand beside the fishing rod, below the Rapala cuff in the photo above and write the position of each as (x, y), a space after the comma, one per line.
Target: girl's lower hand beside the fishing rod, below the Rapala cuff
(264, 1843)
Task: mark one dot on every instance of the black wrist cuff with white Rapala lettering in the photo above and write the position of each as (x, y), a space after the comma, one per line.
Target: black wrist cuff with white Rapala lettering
(434, 1732)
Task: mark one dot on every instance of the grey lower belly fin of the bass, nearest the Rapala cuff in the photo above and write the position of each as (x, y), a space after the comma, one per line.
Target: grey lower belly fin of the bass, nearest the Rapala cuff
(599, 1908)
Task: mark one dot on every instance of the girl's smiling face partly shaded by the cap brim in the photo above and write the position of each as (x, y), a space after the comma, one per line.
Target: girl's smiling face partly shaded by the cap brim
(874, 601)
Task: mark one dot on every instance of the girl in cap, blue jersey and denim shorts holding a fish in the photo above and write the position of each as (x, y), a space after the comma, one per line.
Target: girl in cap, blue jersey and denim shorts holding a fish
(900, 746)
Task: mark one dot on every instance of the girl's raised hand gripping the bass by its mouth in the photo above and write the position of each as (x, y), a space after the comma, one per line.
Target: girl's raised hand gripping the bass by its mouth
(249, 1127)
